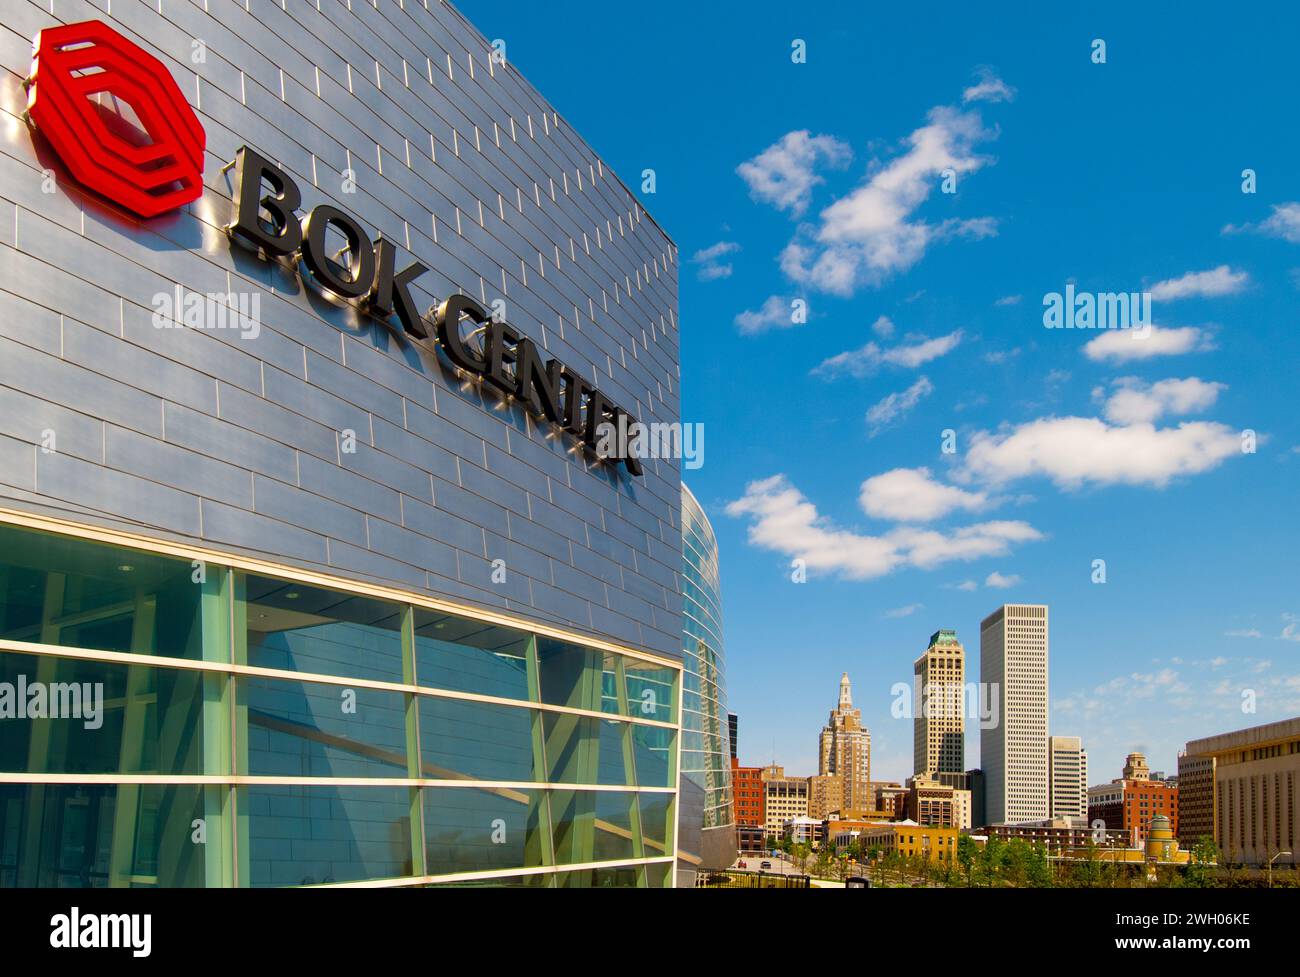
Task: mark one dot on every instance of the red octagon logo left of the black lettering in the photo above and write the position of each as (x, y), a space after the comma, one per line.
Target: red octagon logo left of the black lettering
(149, 176)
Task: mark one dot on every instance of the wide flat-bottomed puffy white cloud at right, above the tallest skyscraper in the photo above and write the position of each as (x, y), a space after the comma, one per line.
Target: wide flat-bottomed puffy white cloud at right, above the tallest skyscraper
(1074, 451)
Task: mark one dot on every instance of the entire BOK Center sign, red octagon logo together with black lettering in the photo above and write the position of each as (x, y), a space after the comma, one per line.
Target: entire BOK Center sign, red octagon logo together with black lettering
(75, 64)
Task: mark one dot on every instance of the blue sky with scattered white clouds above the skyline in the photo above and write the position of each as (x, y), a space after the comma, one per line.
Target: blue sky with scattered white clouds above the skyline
(822, 181)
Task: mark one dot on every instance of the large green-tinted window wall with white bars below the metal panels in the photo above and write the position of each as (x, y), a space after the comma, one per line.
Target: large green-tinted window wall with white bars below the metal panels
(167, 722)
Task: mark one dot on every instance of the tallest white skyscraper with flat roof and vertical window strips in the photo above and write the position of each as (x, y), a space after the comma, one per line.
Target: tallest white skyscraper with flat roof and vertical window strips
(1013, 657)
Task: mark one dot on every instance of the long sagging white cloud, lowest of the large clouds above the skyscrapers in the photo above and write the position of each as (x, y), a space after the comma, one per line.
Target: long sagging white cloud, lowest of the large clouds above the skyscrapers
(783, 520)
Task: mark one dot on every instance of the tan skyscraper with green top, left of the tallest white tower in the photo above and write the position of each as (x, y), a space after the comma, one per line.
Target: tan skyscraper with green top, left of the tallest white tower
(939, 726)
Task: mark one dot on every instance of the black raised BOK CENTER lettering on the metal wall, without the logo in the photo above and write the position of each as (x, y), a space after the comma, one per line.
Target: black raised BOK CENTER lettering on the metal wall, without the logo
(265, 218)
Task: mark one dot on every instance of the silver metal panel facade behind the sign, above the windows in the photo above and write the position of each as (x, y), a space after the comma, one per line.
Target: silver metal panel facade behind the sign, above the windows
(396, 114)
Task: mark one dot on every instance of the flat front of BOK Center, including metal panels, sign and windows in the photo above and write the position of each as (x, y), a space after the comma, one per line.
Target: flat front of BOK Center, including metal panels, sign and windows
(314, 568)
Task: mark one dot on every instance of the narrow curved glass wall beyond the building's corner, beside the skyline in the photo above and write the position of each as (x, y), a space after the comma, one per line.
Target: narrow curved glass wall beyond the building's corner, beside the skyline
(705, 745)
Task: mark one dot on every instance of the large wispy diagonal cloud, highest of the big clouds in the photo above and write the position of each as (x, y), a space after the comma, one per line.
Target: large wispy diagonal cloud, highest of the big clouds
(872, 235)
